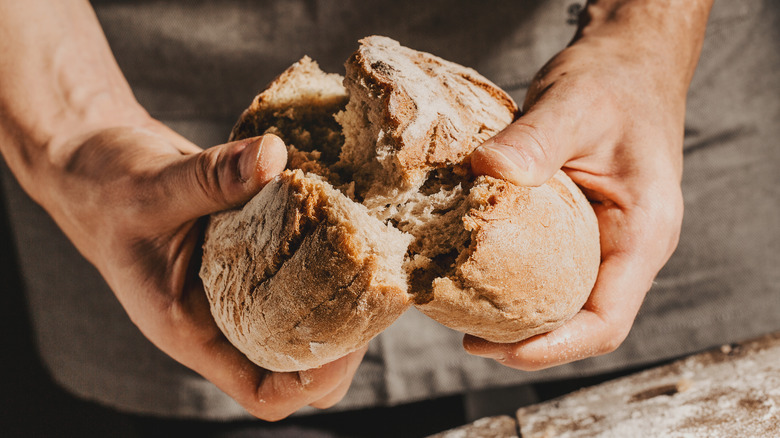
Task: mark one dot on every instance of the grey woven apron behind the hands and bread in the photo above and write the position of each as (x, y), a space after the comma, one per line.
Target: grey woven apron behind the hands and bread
(196, 64)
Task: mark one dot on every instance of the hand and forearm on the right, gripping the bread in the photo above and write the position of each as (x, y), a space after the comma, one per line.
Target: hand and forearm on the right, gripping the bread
(609, 109)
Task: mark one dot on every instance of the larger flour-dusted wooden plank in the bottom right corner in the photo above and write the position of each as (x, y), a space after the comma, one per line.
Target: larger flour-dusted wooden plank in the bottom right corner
(733, 391)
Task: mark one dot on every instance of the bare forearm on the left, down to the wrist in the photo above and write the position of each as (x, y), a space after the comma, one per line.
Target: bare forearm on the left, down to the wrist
(58, 81)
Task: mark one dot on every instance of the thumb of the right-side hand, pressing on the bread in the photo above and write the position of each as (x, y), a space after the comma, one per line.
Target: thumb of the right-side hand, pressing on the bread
(528, 152)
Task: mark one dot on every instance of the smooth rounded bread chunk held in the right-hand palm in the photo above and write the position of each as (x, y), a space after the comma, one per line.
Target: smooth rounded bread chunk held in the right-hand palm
(531, 264)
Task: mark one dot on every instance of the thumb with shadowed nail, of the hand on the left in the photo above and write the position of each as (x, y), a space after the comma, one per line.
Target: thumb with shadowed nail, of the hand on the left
(223, 176)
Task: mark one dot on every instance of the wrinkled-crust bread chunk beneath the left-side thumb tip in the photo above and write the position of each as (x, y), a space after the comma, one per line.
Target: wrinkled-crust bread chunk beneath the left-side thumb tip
(293, 283)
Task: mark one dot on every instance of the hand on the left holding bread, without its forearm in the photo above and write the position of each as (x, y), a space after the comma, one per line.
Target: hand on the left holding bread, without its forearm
(132, 200)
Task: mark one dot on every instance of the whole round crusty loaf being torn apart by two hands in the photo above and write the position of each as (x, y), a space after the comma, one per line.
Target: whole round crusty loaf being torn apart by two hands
(378, 210)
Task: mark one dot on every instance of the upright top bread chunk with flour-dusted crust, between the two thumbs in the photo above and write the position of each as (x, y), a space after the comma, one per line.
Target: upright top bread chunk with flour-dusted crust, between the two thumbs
(428, 113)
